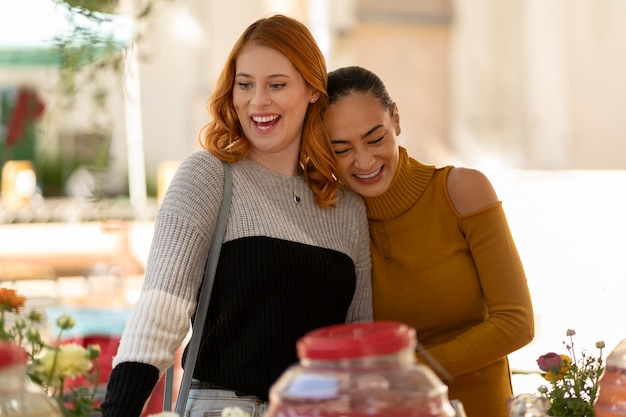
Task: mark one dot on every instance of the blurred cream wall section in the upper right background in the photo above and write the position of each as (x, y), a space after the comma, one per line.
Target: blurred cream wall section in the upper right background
(540, 83)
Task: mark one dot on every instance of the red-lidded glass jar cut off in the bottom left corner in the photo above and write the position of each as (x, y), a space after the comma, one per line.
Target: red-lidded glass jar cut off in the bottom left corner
(17, 397)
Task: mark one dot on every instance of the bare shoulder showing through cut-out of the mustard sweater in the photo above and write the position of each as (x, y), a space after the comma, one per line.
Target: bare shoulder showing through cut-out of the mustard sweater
(470, 190)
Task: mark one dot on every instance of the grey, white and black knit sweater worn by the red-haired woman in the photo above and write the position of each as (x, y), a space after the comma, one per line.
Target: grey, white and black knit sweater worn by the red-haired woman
(285, 268)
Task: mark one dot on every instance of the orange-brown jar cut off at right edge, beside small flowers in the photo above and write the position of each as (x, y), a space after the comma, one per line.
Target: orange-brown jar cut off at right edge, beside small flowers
(611, 401)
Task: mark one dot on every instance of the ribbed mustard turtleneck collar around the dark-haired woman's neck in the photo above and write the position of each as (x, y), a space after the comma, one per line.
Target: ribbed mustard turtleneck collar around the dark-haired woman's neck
(406, 188)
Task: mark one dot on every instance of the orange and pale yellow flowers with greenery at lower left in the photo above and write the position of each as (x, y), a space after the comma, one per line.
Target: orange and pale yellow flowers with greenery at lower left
(52, 366)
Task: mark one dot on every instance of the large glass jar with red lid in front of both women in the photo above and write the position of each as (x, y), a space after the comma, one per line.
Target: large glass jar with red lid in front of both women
(358, 370)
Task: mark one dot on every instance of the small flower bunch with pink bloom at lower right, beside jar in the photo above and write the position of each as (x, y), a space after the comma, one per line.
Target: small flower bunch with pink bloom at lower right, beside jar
(573, 382)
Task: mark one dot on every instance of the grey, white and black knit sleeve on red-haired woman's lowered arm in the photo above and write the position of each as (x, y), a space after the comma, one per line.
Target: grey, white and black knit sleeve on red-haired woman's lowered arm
(161, 316)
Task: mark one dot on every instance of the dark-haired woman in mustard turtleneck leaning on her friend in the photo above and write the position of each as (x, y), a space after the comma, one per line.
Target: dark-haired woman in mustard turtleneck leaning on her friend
(443, 257)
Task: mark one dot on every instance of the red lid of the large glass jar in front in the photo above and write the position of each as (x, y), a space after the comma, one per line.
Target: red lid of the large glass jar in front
(356, 340)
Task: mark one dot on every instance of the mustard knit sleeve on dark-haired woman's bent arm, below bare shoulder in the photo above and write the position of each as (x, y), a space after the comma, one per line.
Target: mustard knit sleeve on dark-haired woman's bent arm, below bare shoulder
(510, 322)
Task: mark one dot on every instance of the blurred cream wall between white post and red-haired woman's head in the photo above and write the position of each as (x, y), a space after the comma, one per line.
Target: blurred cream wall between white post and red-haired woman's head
(189, 41)
